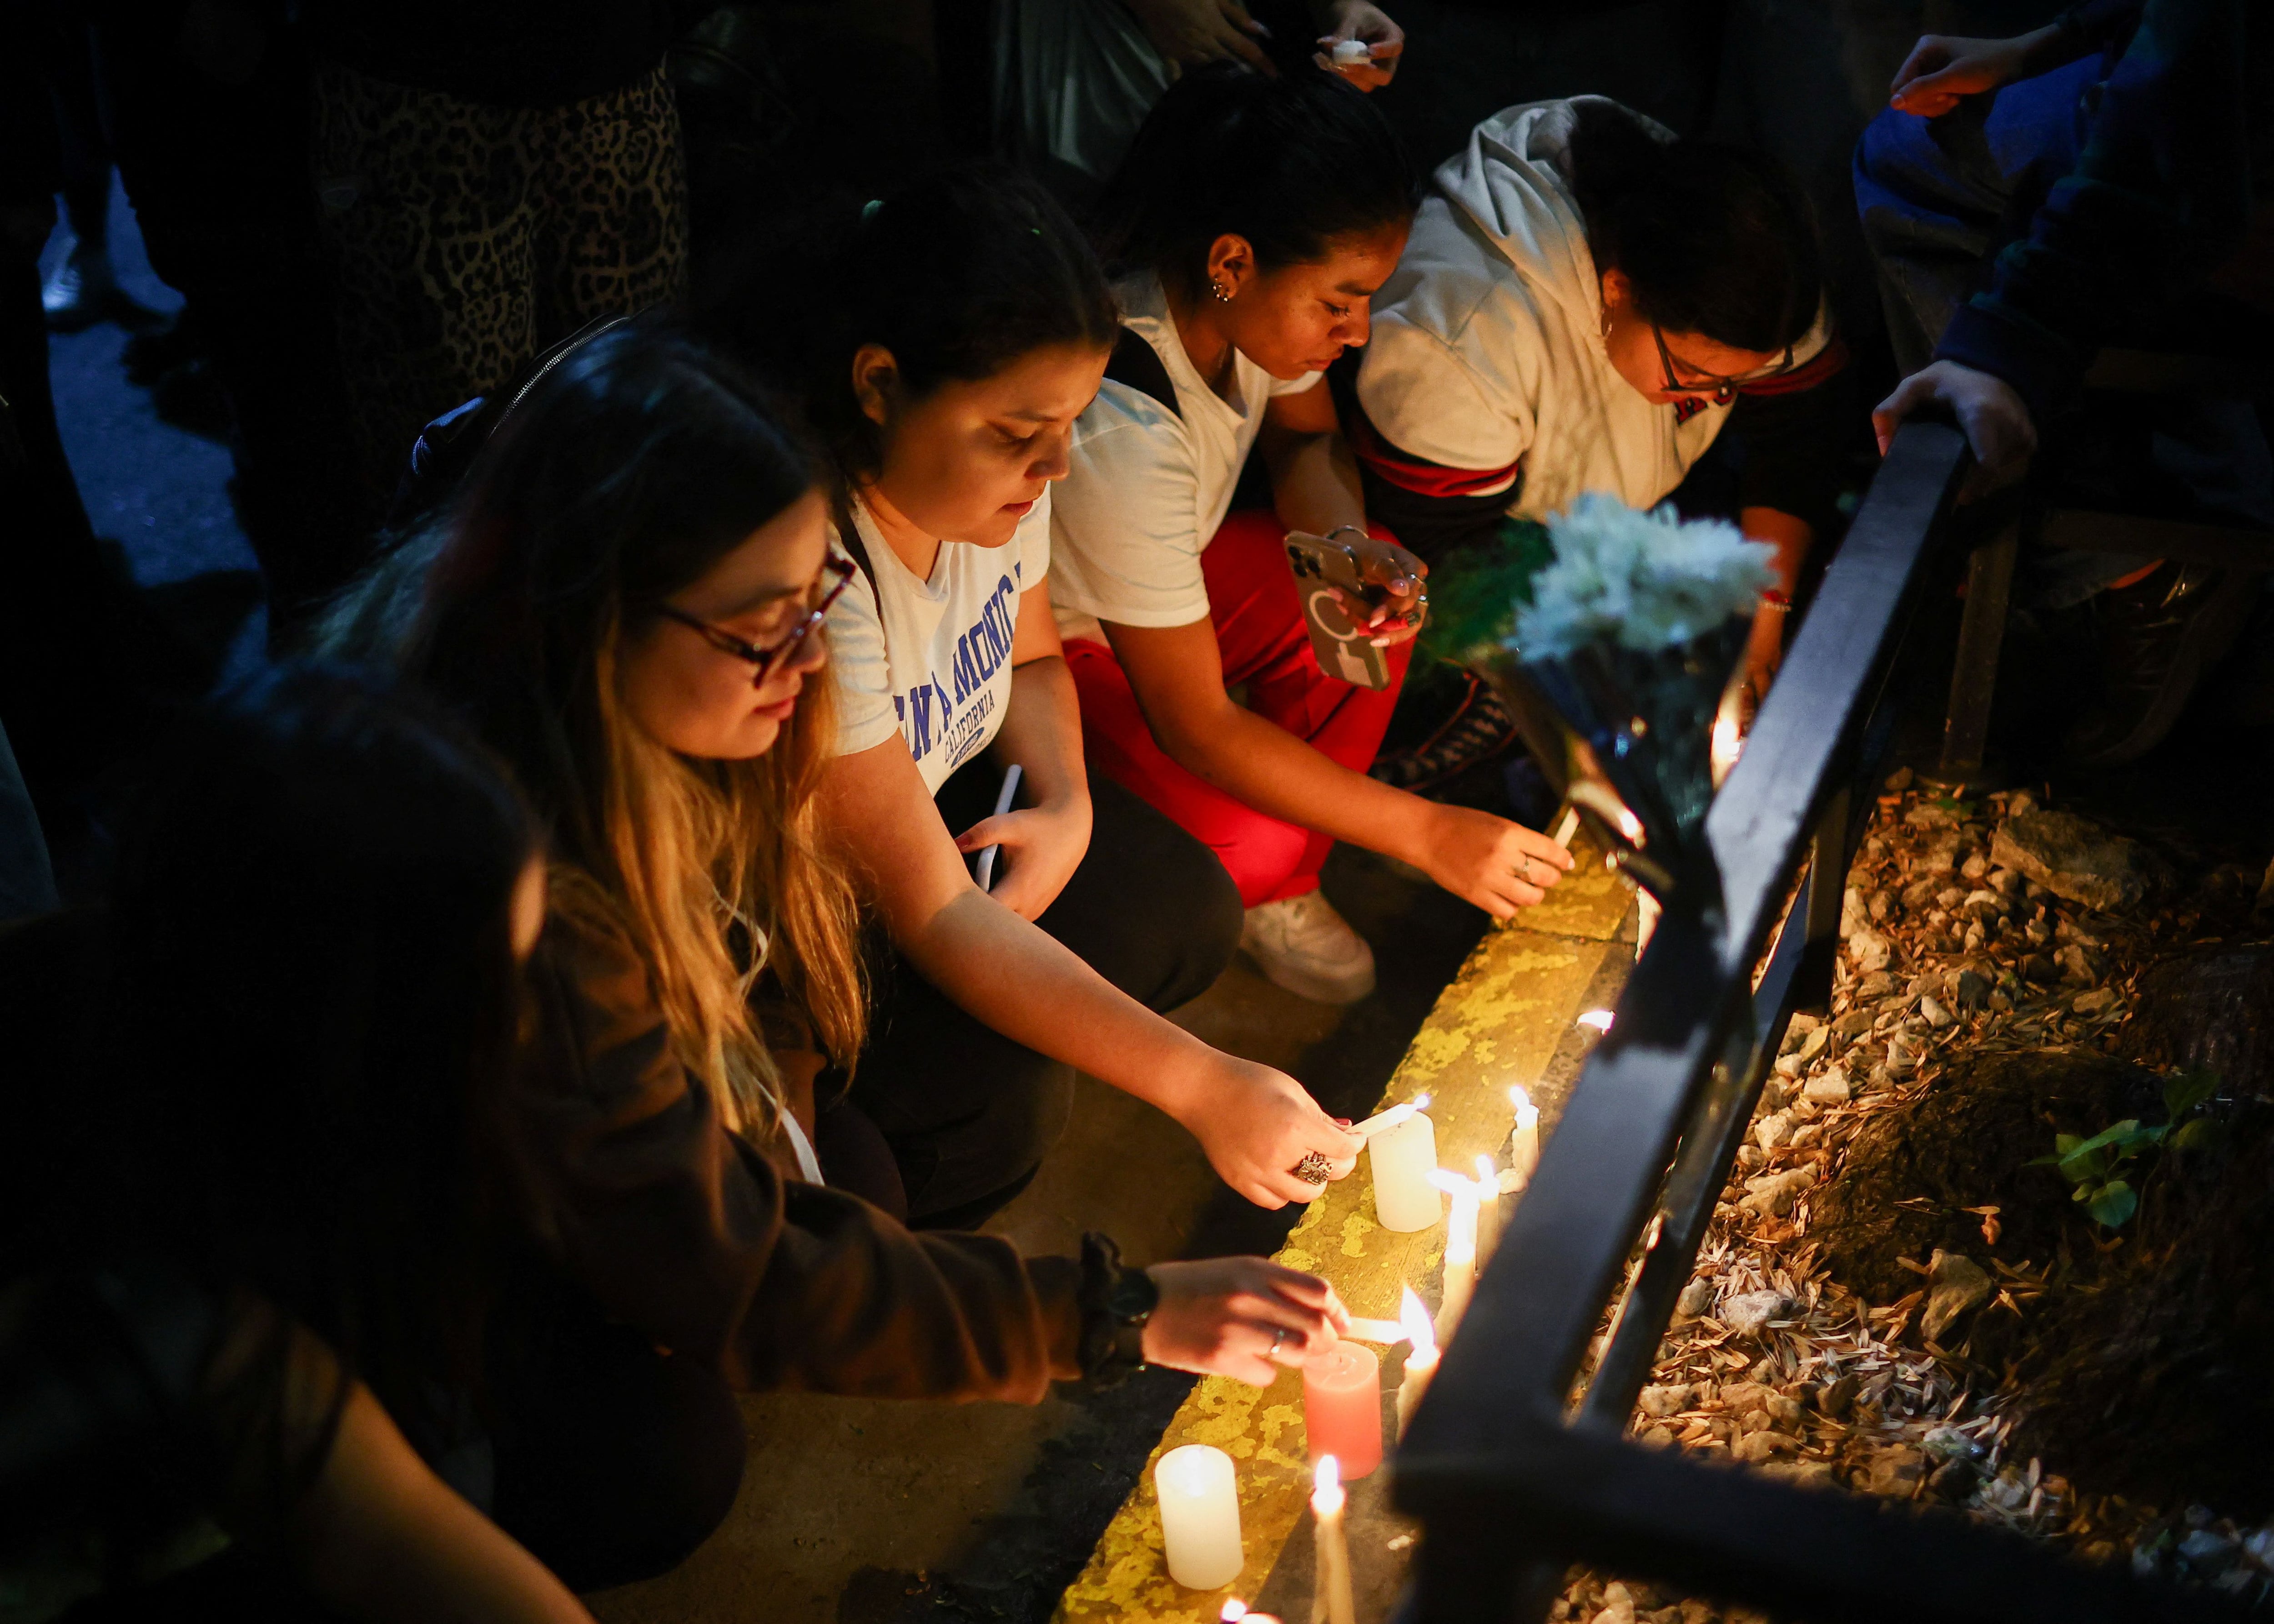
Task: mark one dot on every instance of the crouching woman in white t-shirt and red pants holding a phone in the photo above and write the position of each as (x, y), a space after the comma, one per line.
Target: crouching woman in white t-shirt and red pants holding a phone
(1256, 217)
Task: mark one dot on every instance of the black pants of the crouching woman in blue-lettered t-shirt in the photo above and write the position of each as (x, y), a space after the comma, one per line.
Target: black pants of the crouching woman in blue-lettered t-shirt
(970, 1113)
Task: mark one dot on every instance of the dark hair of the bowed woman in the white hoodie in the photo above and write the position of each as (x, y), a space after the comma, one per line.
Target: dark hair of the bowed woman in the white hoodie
(1716, 240)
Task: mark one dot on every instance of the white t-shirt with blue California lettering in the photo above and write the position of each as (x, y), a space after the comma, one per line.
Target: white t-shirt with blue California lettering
(931, 658)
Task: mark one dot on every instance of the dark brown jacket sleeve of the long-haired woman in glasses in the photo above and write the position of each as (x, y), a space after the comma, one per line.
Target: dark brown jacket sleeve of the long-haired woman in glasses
(695, 1236)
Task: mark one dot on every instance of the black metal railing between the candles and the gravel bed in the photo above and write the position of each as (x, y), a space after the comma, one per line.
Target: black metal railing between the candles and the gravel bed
(1511, 1475)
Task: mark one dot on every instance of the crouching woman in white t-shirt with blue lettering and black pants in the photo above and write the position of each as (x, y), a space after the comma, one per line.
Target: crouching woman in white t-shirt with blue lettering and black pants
(945, 354)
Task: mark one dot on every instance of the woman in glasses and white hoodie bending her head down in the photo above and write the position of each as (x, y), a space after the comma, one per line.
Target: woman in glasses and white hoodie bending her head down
(1584, 306)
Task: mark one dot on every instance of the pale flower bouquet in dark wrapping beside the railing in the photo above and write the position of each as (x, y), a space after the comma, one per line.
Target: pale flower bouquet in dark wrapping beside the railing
(1632, 636)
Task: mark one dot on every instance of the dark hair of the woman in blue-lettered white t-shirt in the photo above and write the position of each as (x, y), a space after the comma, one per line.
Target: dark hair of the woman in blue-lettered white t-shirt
(958, 274)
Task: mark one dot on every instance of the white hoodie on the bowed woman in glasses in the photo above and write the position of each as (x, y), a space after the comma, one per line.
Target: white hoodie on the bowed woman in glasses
(1488, 340)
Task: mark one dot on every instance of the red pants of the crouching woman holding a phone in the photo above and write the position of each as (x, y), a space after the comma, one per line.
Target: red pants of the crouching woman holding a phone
(1263, 643)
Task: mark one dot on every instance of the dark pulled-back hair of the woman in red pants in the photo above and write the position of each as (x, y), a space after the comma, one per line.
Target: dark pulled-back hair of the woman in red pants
(1290, 163)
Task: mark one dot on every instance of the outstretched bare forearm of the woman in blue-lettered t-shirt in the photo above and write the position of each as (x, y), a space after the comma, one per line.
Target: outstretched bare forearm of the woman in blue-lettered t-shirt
(1022, 984)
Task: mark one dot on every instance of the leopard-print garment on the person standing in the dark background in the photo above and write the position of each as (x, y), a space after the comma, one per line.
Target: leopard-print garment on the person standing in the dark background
(472, 238)
